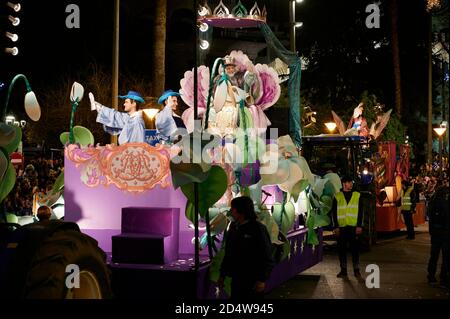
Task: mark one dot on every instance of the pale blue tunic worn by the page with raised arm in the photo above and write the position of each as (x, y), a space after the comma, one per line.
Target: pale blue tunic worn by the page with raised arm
(129, 128)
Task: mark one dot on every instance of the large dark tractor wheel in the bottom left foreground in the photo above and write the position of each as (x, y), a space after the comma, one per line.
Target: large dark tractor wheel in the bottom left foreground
(51, 274)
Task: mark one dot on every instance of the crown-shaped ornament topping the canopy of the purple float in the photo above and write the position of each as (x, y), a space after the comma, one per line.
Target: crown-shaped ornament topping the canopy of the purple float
(239, 11)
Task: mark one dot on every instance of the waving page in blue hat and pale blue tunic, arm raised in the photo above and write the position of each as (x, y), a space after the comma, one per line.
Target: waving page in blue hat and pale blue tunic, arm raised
(129, 125)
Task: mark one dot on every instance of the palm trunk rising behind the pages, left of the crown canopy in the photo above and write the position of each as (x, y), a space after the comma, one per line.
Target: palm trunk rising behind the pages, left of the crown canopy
(159, 50)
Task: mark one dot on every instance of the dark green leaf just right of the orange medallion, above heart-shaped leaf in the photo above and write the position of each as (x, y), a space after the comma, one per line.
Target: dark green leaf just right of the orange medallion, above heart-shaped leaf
(187, 173)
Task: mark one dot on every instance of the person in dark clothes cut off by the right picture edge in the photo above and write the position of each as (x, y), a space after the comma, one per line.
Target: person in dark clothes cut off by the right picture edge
(438, 226)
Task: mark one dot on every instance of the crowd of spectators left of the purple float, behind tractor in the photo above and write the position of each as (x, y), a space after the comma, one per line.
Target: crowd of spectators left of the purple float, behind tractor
(38, 177)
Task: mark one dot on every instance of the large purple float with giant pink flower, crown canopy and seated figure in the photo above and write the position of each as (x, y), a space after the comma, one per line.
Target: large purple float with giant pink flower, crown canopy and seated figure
(161, 210)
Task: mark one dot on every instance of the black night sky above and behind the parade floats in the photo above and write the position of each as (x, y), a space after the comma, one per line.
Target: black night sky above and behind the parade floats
(50, 52)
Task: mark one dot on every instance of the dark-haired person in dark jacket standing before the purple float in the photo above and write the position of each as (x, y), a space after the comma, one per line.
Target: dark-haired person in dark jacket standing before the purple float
(248, 252)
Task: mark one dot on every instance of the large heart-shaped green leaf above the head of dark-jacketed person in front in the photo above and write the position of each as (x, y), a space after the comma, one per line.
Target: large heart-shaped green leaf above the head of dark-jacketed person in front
(209, 191)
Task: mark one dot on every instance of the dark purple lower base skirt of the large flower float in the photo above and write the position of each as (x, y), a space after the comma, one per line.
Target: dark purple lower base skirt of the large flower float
(178, 280)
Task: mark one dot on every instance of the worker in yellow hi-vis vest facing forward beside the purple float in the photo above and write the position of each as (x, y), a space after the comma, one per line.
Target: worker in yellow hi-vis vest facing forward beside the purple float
(347, 217)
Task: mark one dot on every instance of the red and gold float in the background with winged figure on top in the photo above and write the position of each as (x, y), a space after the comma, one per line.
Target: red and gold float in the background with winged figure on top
(377, 166)
